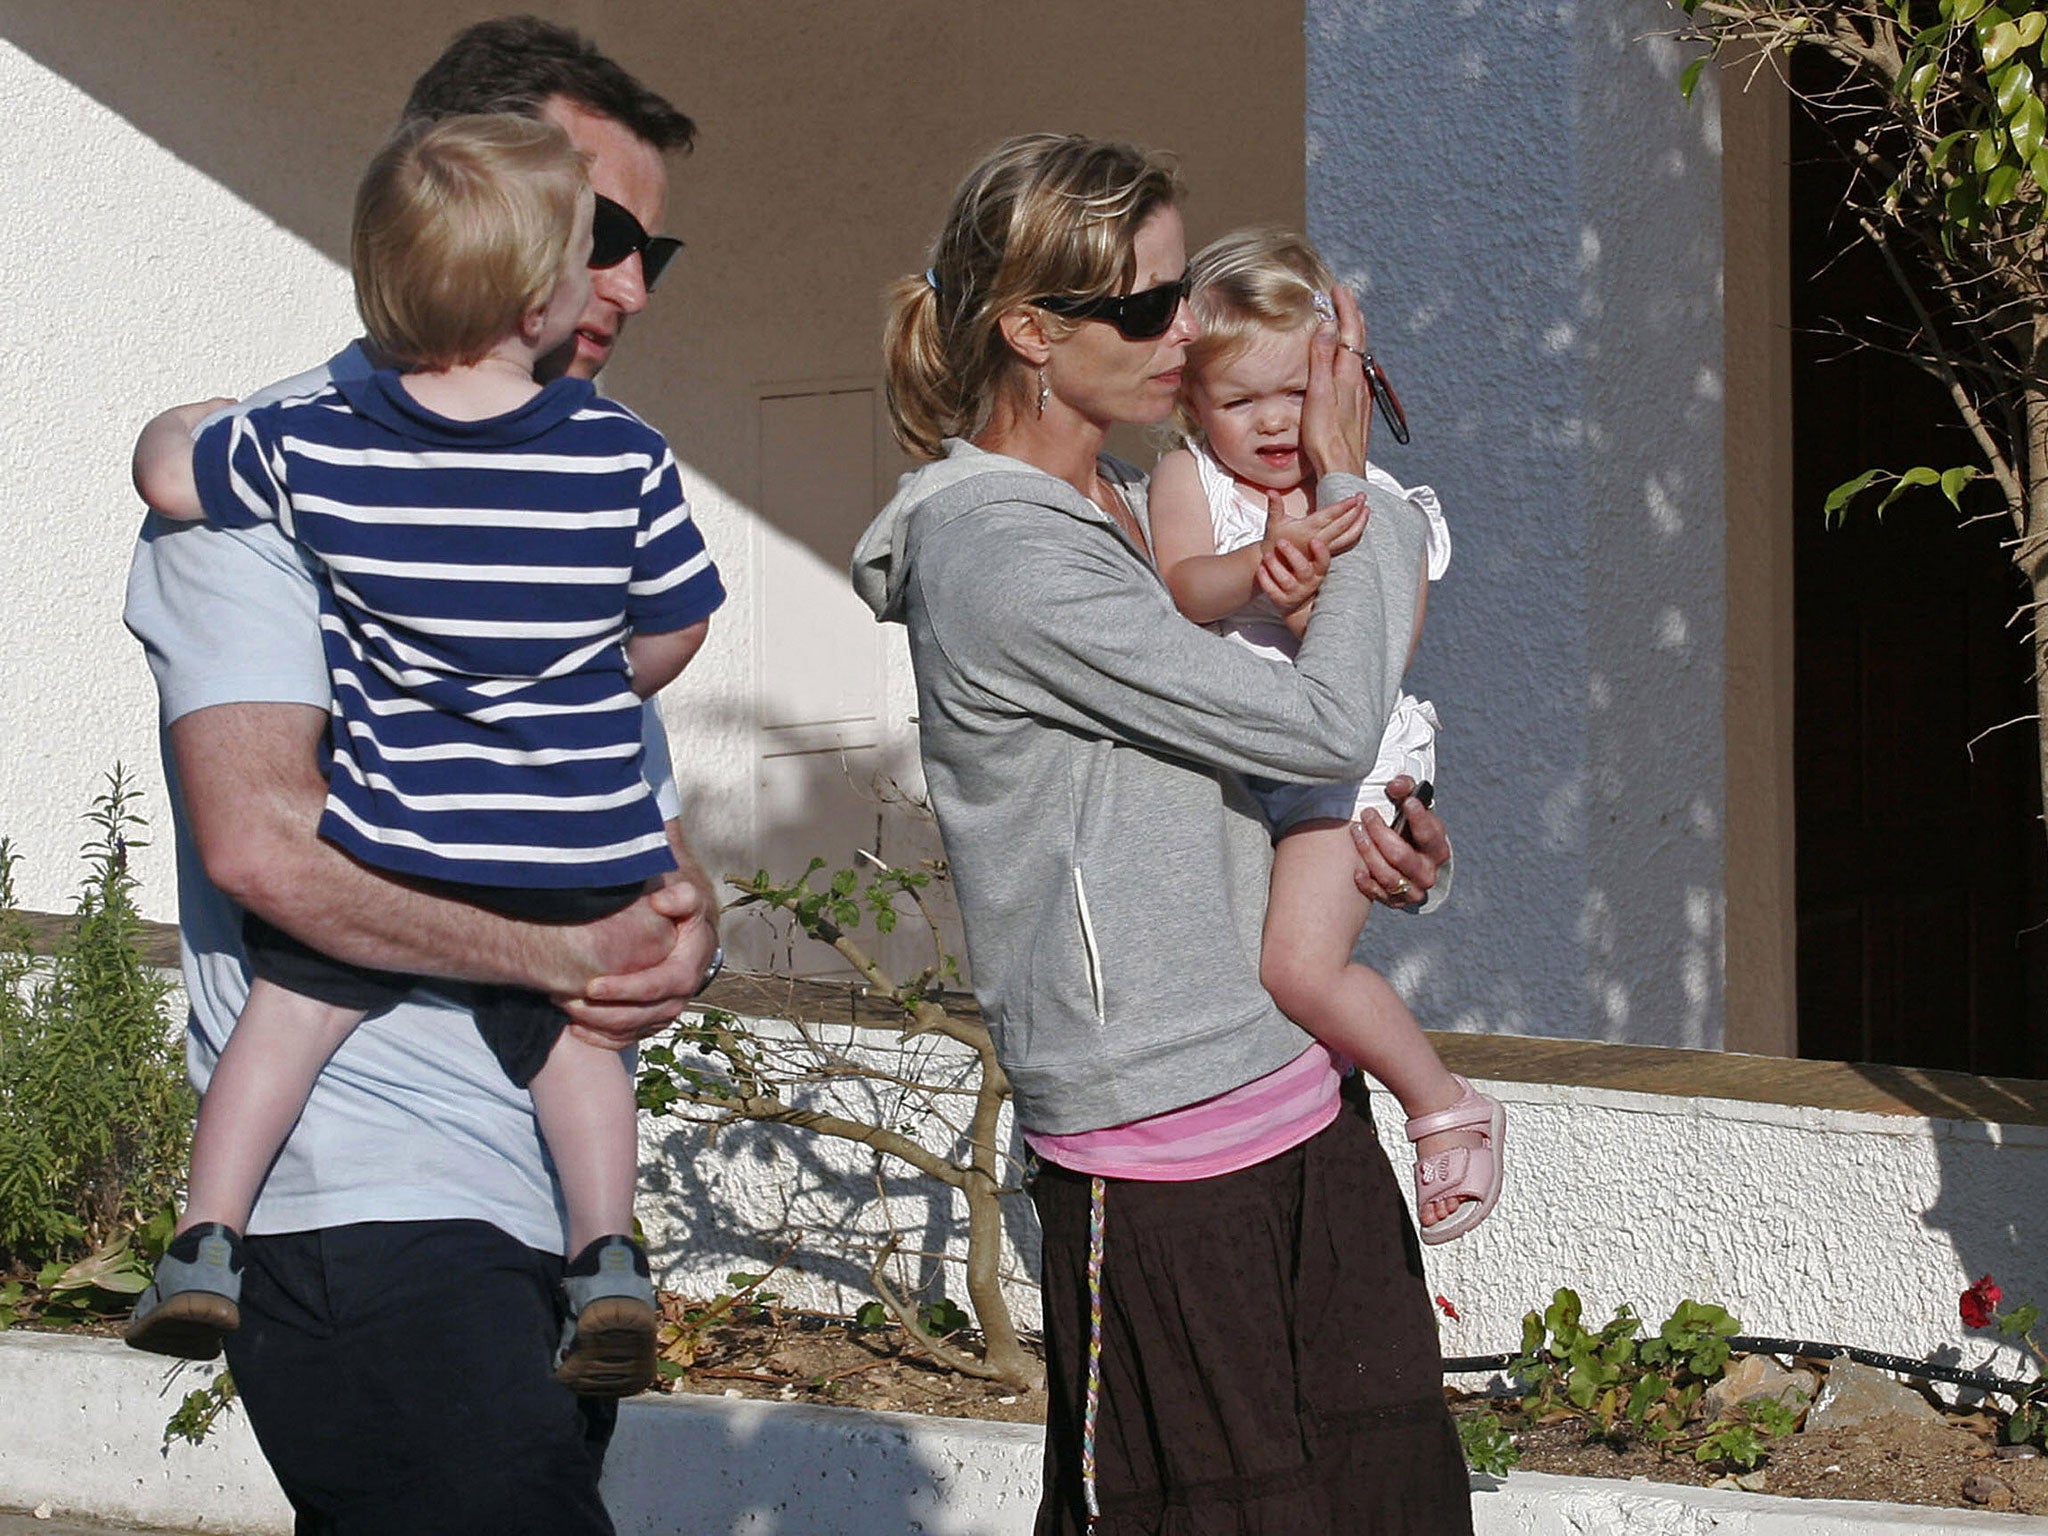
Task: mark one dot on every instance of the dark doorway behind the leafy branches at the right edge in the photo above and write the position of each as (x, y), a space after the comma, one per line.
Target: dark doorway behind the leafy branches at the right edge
(1920, 855)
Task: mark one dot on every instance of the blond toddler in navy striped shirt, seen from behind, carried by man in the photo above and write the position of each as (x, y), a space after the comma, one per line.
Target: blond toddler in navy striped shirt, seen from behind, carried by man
(507, 572)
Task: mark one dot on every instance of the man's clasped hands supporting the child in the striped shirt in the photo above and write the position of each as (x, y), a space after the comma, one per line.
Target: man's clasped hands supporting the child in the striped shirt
(642, 994)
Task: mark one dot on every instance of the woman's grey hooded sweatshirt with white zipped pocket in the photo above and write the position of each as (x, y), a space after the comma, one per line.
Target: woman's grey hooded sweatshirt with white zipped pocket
(1082, 746)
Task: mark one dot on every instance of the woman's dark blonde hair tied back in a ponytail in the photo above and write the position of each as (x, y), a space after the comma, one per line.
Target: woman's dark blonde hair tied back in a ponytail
(1043, 216)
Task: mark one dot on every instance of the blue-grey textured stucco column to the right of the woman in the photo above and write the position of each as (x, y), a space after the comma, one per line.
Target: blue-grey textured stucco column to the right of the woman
(1533, 216)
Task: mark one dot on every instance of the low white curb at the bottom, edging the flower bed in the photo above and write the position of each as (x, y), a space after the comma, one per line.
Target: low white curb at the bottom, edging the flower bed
(83, 1424)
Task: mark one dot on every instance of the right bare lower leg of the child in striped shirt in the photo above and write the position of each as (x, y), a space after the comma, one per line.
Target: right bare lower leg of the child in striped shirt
(589, 1117)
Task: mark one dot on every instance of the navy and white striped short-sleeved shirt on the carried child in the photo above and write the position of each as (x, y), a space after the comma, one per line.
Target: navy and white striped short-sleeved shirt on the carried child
(480, 585)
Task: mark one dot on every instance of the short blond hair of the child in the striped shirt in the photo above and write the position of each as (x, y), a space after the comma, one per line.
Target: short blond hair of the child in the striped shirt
(462, 228)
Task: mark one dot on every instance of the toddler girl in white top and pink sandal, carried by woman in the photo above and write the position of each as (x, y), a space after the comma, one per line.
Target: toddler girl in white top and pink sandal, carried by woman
(1220, 515)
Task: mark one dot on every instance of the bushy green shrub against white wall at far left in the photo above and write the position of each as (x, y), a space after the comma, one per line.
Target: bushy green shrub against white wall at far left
(95, 1115)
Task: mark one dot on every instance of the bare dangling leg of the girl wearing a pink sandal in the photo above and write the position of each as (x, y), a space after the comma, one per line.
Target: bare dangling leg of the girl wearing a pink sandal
(1314, 919)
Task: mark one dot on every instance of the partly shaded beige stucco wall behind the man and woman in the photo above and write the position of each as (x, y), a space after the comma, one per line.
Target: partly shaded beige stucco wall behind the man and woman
(177, 198)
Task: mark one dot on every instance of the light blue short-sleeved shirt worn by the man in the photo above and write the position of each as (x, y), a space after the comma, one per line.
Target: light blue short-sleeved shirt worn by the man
(413, 1119)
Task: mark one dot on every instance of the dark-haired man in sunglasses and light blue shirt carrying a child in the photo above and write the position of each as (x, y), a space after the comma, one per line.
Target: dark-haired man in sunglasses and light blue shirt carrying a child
(400, 1299)
